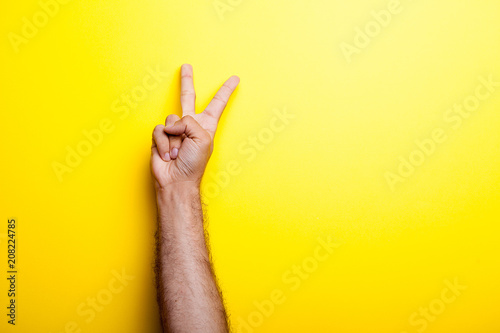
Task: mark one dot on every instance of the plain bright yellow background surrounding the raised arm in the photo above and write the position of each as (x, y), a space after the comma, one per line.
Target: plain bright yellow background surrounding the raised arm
(323, 174)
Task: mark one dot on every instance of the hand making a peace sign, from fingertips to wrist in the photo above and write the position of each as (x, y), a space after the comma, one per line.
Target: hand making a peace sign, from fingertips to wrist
(181, 149)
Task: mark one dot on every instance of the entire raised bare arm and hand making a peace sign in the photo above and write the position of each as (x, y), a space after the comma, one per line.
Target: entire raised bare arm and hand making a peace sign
(188, 295)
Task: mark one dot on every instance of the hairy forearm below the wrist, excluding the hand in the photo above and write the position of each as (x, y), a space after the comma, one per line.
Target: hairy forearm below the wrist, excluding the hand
(188, 295)
